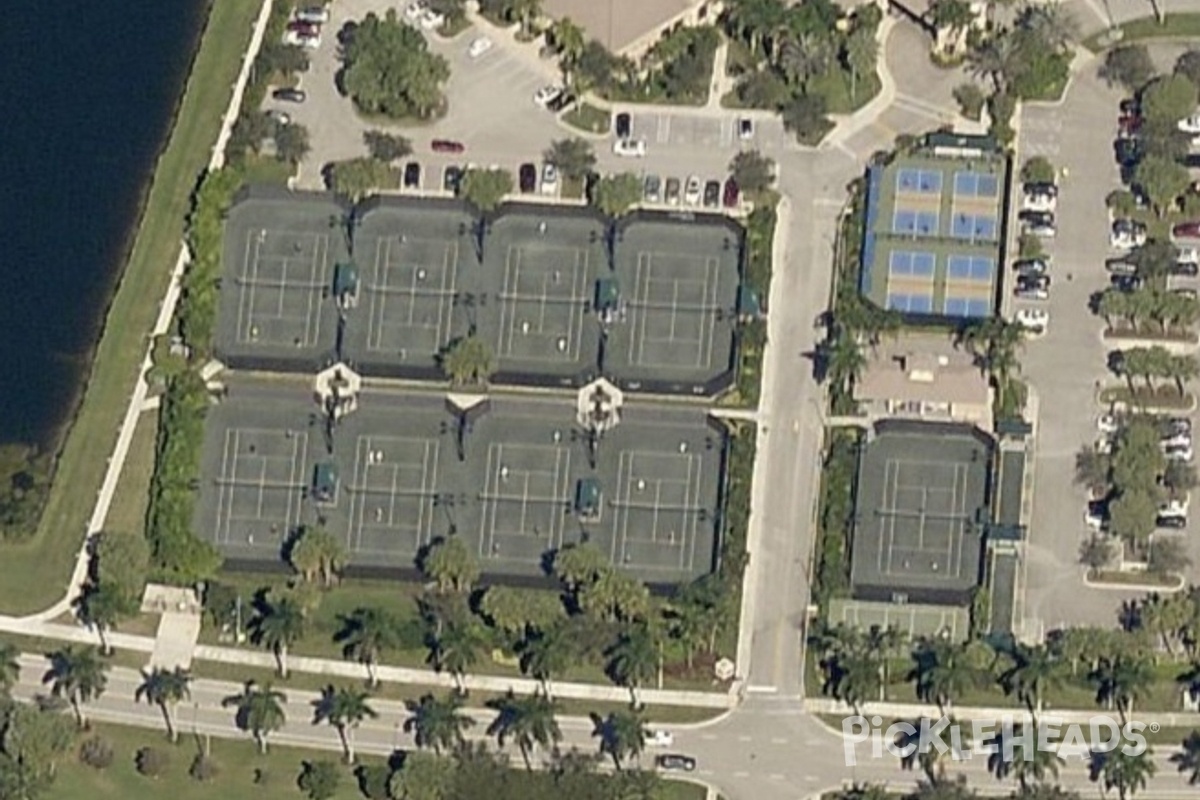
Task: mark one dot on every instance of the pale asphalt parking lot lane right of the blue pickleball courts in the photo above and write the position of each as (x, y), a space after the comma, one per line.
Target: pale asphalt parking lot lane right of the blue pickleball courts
(1066, 366)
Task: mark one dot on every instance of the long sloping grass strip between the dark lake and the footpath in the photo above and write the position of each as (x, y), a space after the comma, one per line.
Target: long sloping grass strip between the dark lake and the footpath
(37, 572)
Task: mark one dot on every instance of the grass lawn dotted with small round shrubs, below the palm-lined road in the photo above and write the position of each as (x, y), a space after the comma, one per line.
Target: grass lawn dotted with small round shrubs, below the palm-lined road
(237, 762)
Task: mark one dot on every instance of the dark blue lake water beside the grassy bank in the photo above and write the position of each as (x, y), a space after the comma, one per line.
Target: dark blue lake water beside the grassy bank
(88, 94)
